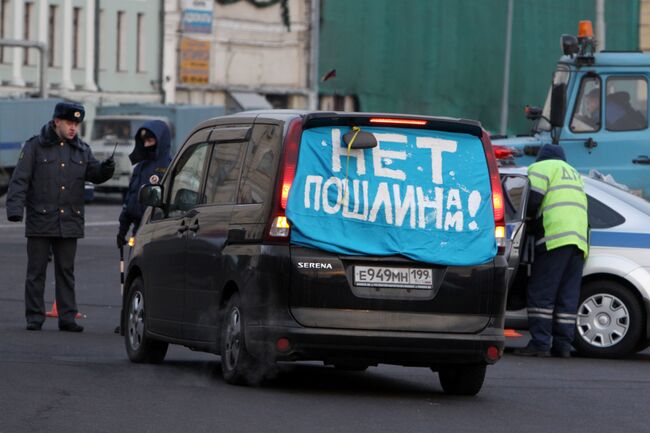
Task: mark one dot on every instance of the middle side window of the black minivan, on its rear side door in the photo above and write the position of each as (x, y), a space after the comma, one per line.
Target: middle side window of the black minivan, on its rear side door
(223, 174)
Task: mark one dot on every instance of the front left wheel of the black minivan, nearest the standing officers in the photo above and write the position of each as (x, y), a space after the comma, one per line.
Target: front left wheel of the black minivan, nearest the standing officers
(139, 347)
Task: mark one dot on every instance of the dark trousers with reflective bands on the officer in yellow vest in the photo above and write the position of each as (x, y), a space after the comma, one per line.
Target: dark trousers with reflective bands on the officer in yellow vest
(553, 295)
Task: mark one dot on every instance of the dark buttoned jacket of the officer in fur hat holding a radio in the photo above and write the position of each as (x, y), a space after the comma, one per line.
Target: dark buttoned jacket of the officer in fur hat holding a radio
(49, 182)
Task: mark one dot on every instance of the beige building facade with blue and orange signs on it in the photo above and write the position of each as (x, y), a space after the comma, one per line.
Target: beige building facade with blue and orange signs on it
(248, 54)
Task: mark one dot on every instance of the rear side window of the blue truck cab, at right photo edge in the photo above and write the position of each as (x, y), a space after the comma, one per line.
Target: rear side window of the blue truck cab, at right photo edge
(626, 104)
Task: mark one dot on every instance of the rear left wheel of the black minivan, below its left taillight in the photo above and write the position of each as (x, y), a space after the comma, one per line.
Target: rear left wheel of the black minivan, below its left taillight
(238, 366)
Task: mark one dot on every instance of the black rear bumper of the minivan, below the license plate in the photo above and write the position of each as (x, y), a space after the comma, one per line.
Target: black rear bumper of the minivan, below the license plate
(375, 347)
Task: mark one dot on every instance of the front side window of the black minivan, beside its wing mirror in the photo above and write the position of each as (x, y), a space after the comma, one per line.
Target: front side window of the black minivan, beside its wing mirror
(186, 183)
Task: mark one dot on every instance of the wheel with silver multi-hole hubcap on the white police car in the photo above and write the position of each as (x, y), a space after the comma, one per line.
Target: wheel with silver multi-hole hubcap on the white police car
(609, 323)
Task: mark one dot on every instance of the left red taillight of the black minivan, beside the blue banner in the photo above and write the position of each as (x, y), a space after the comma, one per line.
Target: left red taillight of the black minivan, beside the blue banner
(279, 228)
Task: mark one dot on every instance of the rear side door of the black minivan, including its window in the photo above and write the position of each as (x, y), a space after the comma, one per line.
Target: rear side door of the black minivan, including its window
(207, 268)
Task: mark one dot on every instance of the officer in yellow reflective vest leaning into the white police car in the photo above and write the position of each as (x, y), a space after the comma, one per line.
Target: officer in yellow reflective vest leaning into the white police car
(557, 209)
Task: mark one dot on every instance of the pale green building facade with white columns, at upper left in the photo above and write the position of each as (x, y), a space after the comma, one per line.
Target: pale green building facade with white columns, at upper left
(99, 51)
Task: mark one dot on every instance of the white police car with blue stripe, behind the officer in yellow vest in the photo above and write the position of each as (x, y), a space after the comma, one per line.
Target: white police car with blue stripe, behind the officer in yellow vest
(614, 311)
